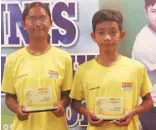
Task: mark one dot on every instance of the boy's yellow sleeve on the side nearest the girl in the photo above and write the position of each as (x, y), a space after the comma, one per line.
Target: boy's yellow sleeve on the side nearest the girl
(77, 91)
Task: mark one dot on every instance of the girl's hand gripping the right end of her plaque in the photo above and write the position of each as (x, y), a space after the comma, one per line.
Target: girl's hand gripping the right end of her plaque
(59, 109)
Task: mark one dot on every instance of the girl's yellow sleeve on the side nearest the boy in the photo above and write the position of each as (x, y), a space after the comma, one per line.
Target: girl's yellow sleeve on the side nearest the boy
(68, 76)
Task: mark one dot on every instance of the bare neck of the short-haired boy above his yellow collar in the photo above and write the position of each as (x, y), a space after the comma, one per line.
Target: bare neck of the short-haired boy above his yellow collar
(107, 58)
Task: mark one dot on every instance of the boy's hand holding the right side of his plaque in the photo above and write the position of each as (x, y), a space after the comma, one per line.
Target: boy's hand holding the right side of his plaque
(126, 119)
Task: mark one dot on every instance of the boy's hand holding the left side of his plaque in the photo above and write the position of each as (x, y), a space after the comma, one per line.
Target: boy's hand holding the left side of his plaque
(94, 121)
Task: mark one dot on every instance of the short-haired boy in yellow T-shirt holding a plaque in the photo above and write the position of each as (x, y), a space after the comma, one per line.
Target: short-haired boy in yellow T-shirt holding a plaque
(110, 84)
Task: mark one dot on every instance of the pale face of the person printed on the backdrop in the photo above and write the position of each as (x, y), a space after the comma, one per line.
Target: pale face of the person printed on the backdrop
(151, 14)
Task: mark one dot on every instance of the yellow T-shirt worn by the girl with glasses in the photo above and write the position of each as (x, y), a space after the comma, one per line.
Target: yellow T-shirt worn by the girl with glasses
(52, 70)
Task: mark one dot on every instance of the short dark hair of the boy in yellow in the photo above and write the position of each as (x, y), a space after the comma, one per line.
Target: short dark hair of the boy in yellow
(107, 15)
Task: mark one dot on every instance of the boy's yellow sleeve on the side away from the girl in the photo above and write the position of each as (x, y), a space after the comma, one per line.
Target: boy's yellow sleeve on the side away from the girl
(146, 85)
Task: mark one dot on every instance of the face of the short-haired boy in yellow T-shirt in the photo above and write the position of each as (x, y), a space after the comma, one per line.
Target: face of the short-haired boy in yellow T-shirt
(107, 36)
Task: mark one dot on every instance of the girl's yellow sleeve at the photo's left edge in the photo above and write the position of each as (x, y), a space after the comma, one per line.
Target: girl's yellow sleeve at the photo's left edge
(8, 80)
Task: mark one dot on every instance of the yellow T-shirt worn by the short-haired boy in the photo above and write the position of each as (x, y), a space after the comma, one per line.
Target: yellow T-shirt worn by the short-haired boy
(127, 79)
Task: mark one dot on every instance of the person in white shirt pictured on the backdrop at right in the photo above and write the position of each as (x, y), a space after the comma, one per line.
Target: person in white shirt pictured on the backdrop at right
(144, 51)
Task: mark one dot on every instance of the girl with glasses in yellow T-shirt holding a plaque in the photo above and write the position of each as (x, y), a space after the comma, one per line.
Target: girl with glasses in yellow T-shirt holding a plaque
(38, 75)
